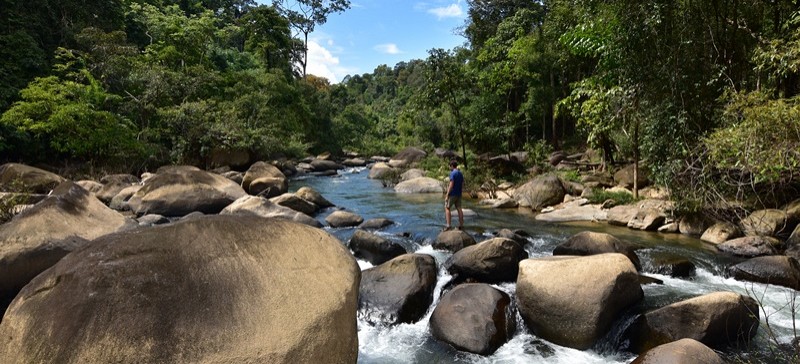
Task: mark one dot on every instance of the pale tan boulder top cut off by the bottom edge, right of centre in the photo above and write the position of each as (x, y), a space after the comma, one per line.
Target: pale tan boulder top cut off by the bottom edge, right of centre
(683, 351)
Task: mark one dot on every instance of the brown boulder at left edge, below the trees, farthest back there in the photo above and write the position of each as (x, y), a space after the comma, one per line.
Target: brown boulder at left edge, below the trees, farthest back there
(15, 177)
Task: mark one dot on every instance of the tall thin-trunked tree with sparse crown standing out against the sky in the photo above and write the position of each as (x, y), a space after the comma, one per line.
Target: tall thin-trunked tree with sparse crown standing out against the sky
(305, 15)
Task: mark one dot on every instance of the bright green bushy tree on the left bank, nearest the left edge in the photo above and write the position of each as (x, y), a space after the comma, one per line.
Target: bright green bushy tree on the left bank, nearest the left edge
(72, 115)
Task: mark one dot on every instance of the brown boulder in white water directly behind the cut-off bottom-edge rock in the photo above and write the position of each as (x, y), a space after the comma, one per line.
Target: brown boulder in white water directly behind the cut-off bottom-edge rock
(715, 319)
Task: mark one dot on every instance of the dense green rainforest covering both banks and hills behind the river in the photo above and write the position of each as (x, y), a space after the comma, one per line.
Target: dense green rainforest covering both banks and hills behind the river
(703, 93)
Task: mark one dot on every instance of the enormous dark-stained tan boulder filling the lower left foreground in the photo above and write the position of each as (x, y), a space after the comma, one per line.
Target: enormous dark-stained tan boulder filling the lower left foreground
(216, 289)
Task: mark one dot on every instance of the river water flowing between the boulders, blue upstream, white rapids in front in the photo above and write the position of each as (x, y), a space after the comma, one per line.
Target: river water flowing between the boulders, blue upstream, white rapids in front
(418, 220)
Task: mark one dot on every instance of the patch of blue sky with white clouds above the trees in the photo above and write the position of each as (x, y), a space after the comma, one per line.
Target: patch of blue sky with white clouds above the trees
(375, 32)
